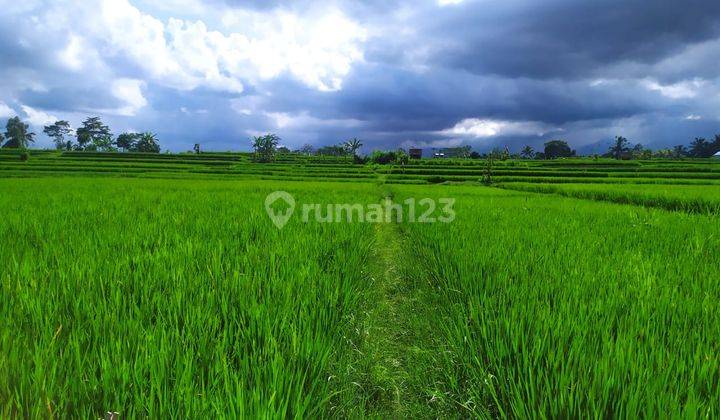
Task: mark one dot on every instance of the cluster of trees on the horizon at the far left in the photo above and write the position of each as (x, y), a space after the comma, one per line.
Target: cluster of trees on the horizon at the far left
(92, 135)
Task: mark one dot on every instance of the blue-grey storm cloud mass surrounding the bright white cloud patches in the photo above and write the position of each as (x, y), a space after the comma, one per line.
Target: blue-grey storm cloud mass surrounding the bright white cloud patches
(585, 70)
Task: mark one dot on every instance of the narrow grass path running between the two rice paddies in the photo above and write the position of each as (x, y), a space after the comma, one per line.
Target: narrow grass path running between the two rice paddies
(396, 354)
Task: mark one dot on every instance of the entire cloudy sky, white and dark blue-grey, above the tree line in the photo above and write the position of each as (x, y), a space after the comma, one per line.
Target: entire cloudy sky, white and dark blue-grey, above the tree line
(393, 73)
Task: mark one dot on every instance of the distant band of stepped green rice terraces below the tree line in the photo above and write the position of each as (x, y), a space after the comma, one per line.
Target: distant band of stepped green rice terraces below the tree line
(320, 168)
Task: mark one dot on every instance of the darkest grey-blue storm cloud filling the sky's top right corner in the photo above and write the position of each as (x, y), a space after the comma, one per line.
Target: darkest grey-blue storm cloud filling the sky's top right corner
(563, 38)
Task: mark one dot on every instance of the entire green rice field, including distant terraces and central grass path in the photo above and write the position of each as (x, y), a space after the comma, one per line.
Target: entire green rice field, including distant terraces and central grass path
(157, 286)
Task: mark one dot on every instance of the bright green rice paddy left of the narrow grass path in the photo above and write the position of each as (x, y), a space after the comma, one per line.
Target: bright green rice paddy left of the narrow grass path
(163, 298)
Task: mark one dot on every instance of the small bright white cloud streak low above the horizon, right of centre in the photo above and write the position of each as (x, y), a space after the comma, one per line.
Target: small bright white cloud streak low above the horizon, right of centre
(484, 128)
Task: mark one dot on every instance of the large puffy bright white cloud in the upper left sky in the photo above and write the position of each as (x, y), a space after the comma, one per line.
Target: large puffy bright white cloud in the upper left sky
(317, 47)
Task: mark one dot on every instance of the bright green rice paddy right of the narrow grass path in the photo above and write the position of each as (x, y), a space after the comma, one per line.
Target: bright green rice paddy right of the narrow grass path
(554, 307)
